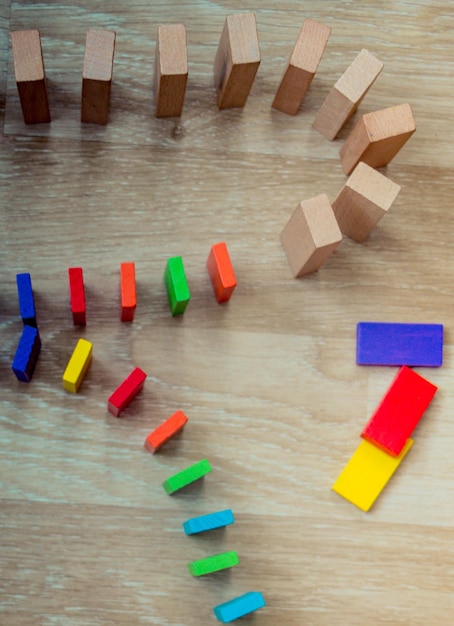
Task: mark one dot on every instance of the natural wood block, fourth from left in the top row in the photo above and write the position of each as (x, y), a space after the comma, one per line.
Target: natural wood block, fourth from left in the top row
(237, 60)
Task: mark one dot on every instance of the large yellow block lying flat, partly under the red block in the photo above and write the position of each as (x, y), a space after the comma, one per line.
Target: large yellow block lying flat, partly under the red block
(367, 473)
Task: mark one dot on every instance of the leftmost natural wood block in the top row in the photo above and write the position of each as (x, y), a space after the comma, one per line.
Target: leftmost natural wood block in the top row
(30, 76)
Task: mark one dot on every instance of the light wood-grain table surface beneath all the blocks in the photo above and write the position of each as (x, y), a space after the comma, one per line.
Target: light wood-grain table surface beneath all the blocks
(268, 381)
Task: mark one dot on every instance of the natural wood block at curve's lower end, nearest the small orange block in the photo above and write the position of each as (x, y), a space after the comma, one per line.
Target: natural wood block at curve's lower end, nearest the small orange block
(311, 235)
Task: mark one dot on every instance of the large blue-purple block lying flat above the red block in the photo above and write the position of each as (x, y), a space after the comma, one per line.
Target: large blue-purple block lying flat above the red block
(387, 343)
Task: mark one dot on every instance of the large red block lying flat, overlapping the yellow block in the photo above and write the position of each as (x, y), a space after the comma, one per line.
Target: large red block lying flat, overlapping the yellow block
(399, 412)
